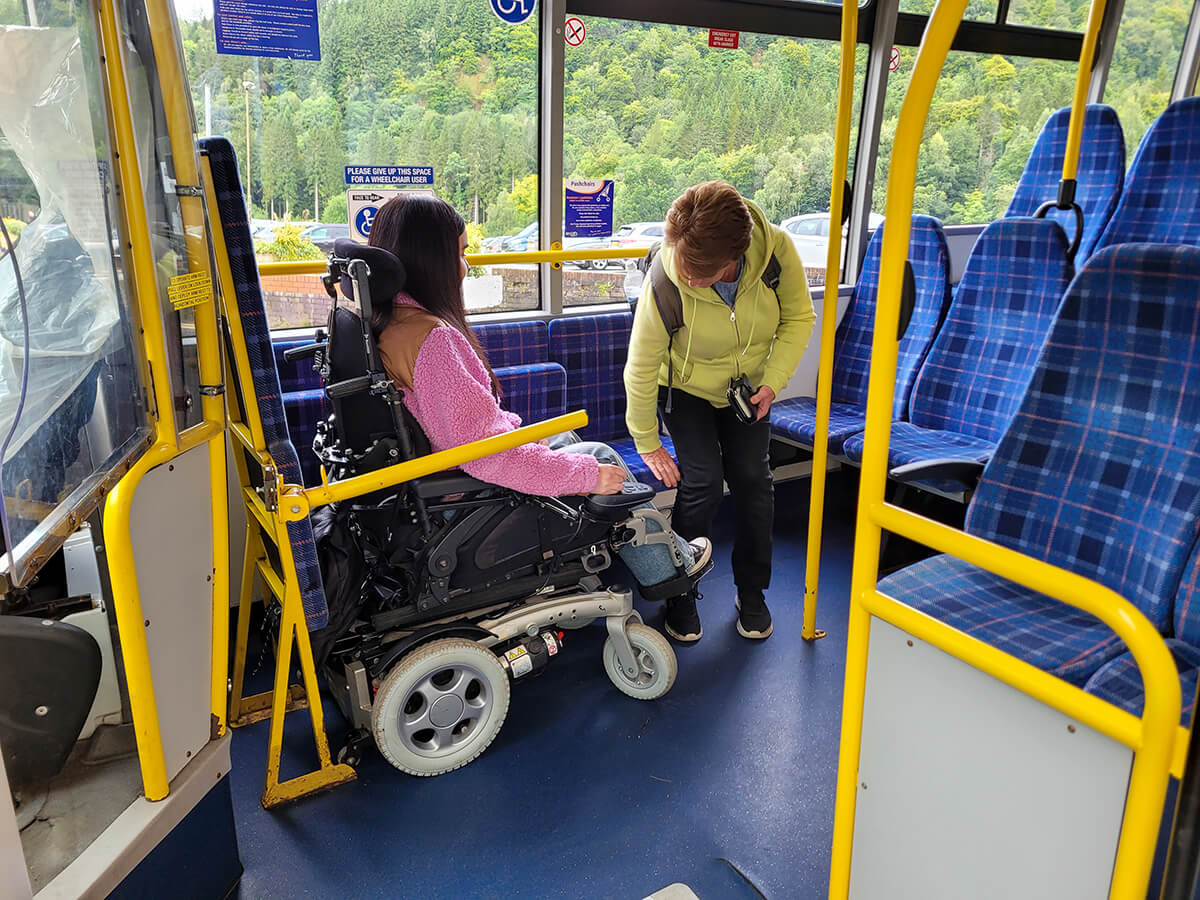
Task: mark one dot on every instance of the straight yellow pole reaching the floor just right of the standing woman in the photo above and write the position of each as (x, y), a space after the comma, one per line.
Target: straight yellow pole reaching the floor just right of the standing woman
(830, 319)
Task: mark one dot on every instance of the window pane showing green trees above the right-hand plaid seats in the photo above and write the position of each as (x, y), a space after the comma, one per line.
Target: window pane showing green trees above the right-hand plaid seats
(986, 116)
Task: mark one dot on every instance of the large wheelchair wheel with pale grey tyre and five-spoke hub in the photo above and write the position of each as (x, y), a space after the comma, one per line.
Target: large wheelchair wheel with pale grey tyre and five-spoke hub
(440, 707)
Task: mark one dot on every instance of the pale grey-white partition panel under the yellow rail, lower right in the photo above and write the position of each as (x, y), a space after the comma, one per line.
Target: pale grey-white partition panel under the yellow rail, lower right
(970, 789)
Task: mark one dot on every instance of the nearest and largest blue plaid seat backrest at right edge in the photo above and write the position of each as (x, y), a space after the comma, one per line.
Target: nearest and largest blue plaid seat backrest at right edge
(1100, 472)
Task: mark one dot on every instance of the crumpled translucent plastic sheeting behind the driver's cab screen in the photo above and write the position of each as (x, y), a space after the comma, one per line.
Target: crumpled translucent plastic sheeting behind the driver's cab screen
(65, 253)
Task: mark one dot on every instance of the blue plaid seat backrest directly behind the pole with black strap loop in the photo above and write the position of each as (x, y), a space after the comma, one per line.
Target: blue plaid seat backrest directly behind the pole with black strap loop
(1099, 181)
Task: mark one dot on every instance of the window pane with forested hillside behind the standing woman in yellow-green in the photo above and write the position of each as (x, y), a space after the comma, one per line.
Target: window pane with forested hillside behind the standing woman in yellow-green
(657, 110)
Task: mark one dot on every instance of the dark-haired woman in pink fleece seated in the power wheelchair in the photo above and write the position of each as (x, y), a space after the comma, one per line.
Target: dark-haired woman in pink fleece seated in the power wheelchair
(433, 356)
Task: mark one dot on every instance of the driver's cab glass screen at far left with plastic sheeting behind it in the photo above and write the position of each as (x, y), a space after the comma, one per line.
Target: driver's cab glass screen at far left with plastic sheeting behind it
(82, 413)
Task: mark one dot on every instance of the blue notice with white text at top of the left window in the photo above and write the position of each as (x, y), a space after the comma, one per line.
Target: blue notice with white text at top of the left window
(268, 28)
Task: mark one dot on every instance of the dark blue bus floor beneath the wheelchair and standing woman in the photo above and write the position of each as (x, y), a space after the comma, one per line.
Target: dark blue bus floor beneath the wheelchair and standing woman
(727, 784)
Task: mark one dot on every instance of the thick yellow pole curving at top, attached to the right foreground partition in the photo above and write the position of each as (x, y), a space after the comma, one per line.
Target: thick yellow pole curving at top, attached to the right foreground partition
(902, 182)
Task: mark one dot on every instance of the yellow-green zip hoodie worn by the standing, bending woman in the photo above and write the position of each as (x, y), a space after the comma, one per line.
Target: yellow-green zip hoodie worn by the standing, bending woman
(760, 338)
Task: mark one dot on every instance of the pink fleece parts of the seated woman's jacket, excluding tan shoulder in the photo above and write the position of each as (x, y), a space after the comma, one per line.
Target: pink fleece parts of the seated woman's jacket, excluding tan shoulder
(453, 401)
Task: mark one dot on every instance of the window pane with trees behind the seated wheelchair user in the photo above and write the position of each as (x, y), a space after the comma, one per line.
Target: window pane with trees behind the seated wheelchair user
(400, 83)
